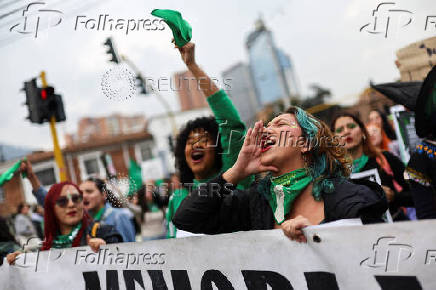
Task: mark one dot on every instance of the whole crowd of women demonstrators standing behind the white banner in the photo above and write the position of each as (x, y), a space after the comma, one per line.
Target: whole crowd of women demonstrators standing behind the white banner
(305, 178)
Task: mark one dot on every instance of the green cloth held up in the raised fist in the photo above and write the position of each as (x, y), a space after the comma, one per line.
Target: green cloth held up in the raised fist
(181, 29)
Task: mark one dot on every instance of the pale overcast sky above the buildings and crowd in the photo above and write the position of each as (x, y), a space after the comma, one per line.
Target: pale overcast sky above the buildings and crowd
(321, 37)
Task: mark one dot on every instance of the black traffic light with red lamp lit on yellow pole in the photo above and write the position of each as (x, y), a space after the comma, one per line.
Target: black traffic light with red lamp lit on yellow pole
(43, 103)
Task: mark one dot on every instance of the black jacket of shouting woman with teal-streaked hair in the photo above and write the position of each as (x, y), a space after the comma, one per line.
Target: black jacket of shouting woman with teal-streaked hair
(212, 211)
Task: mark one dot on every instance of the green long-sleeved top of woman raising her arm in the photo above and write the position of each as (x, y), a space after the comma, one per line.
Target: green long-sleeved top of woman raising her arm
(232, 132)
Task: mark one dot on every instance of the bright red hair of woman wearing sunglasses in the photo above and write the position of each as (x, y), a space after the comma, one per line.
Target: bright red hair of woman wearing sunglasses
(51, 223)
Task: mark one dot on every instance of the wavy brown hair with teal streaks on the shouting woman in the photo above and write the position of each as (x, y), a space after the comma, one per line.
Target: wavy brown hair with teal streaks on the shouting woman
(326, 156)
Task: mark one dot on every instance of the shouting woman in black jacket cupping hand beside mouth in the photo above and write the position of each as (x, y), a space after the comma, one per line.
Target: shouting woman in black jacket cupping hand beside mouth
(306, 183)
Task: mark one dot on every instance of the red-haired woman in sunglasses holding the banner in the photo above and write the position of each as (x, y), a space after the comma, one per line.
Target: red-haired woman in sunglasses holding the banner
(67, 224)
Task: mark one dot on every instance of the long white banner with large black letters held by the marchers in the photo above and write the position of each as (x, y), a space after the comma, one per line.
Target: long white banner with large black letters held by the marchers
(384, 256)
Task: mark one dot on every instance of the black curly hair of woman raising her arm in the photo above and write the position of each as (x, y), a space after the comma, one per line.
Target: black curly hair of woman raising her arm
(210, 125)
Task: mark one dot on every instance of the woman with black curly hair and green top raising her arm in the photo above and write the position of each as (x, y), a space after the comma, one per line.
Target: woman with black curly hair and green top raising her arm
(205, 146)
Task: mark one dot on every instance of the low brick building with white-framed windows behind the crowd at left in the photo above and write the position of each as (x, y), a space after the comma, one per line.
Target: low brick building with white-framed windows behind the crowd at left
(103, 157)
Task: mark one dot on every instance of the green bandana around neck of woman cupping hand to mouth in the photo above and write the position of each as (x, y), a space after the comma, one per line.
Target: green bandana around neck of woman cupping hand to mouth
(284, 189)
